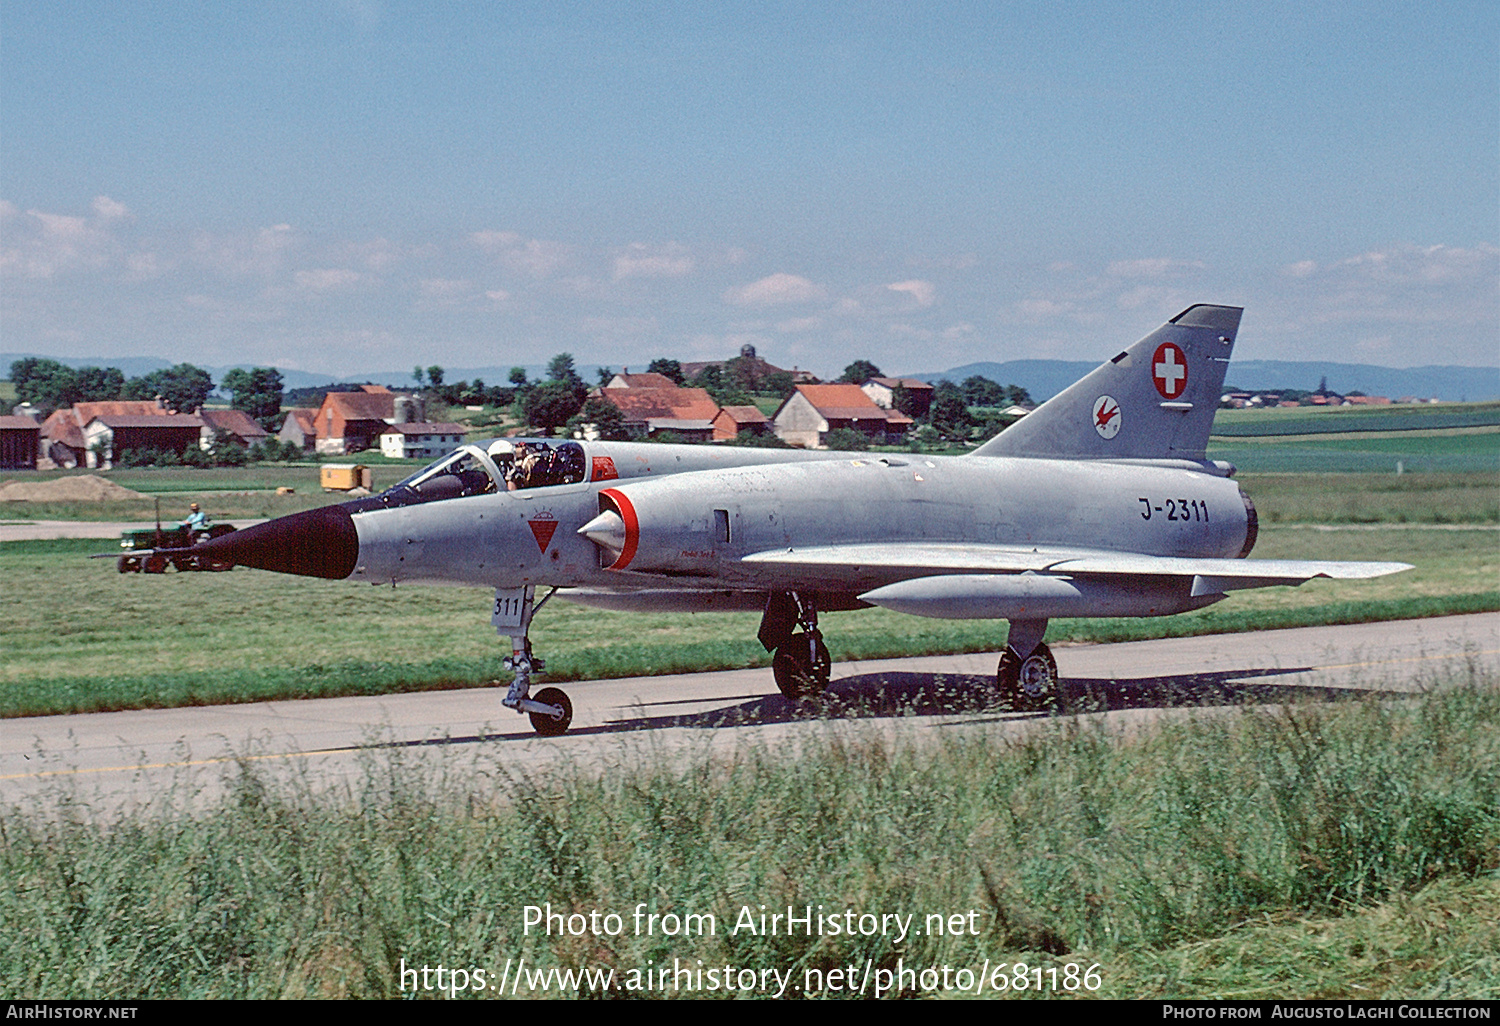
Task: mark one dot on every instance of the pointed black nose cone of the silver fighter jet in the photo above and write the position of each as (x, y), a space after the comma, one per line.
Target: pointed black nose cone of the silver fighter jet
(314, 544)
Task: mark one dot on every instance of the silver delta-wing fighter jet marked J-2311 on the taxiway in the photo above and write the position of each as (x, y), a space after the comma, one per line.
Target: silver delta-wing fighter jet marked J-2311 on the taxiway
(1097, 505)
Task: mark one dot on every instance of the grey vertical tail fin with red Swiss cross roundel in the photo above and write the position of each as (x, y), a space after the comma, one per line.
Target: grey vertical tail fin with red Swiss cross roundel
(1154, 401)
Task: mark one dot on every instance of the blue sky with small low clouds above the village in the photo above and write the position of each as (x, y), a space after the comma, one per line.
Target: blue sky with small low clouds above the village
(346, 187)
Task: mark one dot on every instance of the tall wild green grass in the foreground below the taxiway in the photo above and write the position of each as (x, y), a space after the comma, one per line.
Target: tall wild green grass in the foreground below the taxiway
(1072, 841)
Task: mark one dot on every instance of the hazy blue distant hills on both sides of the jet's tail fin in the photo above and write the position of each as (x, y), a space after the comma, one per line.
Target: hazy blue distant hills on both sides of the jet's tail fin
(1046, 379)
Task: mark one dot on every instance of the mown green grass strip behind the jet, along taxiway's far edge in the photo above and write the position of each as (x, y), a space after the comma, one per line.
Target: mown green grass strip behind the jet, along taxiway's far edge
(103, 640)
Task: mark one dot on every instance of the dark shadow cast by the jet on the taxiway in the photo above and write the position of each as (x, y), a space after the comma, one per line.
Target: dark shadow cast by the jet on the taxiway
(908, 695)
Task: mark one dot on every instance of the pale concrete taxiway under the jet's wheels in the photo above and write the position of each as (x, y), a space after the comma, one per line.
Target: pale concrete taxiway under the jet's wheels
(112, 763)
